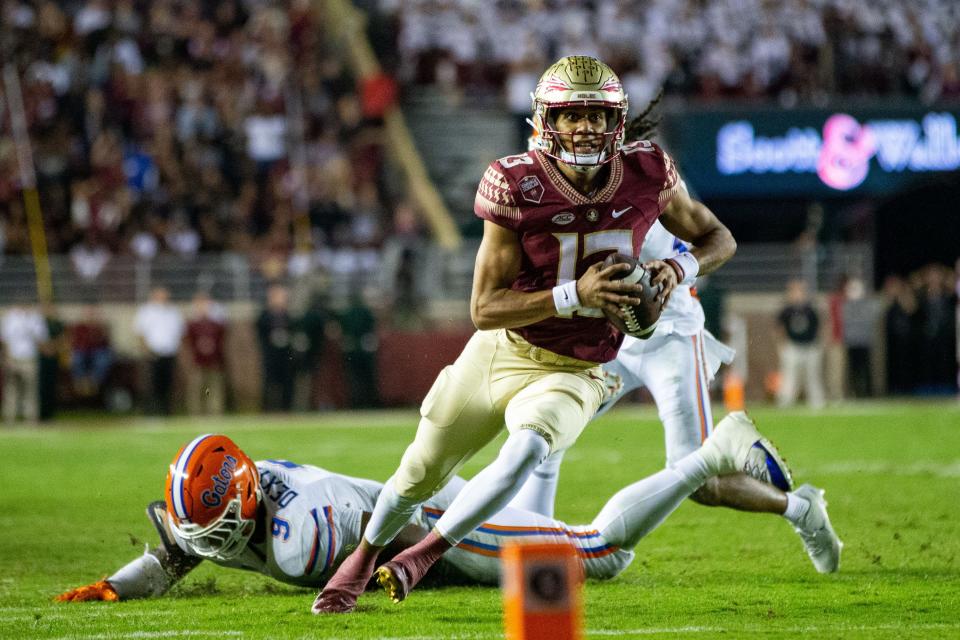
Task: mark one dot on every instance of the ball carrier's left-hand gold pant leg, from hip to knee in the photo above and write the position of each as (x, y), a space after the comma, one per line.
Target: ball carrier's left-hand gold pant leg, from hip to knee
(457, 419)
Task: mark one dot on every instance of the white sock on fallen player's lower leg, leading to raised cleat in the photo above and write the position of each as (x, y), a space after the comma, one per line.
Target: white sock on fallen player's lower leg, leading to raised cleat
(639, 508)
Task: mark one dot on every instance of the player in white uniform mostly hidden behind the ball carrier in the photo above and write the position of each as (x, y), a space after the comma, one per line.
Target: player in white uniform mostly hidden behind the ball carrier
(677, 364)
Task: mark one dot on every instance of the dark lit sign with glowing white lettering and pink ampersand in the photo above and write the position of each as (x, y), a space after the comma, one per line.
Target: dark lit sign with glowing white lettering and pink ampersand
(819, 153)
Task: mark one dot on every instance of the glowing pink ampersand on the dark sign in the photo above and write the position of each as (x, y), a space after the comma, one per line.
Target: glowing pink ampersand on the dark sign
(845, 155)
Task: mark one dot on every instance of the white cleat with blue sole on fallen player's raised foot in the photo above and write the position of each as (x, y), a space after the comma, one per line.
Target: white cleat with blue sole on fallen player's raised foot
(736, 446)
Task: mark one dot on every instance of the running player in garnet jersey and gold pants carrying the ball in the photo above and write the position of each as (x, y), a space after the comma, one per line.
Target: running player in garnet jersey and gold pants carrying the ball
(551, 216)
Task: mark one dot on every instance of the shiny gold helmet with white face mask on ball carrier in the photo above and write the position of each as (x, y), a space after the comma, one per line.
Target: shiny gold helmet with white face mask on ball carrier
(579, 81)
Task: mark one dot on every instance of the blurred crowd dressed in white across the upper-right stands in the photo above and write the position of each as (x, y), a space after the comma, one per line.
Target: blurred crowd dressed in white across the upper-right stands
(744, 49)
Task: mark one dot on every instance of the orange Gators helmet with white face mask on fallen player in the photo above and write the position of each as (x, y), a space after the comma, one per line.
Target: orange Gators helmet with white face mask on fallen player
(213, 490)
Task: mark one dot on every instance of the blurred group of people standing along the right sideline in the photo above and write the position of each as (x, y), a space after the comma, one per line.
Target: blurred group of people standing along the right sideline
(855, 345)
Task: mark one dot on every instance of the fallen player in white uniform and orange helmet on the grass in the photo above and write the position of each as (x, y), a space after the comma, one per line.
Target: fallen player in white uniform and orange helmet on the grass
(295, 523)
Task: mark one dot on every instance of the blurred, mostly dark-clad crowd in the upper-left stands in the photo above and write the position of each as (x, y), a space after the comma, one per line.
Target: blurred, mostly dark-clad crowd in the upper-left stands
(181, 127)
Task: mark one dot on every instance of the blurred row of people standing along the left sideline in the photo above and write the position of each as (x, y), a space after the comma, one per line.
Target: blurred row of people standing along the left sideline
(303, 357)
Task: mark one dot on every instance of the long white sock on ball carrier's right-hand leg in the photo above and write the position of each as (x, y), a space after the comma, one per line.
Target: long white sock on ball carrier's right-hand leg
(490, 490)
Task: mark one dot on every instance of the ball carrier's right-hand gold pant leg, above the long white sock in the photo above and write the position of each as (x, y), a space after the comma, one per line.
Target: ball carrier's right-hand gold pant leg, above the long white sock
(557, 405)
